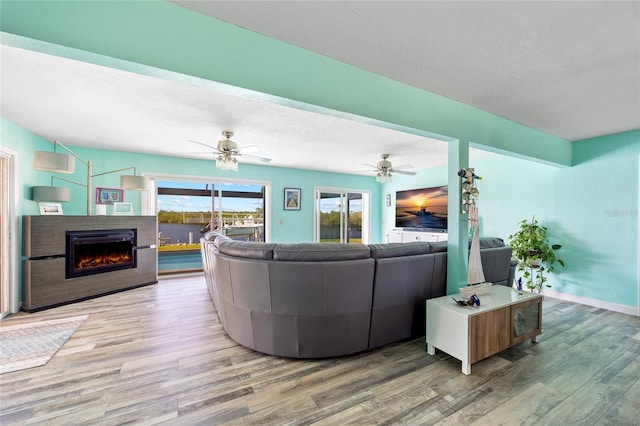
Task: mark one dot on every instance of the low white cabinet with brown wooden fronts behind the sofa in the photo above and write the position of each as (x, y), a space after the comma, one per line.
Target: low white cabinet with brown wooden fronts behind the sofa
(471, 334)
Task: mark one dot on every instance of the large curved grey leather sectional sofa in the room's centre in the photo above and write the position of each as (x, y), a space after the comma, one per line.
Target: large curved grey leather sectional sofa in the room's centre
(318, 300)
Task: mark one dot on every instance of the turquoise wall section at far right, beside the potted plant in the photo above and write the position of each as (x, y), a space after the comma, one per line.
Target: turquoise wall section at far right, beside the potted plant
(597, 214)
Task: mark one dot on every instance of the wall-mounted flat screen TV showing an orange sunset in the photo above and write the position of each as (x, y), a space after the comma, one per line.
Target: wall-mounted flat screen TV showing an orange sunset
(424, 209)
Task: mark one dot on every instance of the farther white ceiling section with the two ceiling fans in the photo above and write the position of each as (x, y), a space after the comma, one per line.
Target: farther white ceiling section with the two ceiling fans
(82, 104)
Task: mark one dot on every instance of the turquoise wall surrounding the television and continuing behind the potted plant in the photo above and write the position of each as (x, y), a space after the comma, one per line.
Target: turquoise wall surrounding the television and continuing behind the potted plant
(590, 208)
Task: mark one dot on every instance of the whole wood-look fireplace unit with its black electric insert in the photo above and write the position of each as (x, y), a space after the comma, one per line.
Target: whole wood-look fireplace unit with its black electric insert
(48, 241)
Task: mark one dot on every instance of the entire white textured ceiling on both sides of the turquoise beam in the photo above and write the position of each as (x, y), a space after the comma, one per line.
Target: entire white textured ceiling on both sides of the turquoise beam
(569, 69)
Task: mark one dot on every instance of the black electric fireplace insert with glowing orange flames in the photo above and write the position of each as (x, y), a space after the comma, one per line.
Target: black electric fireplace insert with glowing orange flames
(99, 251)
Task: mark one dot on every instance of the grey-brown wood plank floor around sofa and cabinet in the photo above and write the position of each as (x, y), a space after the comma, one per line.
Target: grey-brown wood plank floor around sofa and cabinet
(158, 355)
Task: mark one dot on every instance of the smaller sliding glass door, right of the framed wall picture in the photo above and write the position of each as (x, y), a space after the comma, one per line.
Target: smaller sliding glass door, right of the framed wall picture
(341, 216)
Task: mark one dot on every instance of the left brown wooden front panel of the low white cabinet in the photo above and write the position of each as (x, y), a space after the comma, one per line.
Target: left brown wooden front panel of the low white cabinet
(489, 333)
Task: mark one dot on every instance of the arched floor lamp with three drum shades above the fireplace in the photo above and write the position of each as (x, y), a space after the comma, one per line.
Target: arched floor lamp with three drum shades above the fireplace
(56, 162)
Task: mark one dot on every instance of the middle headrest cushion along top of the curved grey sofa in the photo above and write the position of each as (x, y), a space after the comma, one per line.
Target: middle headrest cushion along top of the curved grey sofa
(318, 252)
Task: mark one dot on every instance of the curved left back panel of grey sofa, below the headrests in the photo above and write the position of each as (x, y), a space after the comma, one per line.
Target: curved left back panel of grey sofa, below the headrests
(299, 309)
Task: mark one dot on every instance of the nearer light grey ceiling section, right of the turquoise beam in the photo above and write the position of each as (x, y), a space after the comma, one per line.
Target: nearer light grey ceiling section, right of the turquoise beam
(570, 69)
